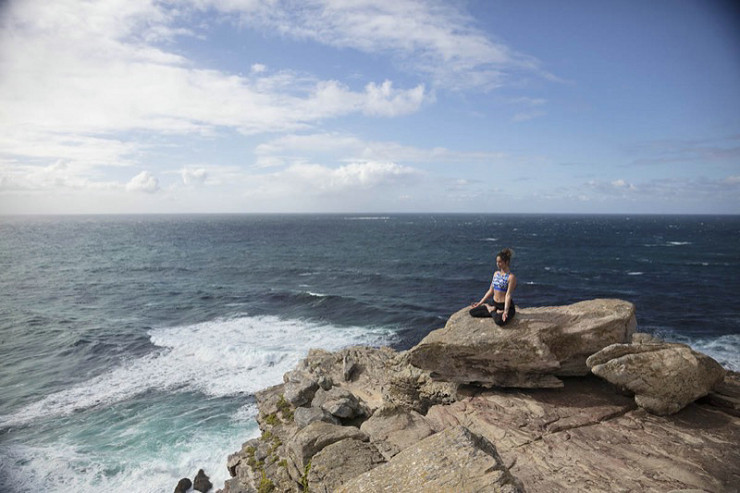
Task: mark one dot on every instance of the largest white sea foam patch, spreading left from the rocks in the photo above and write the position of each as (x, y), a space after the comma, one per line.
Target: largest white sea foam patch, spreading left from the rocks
(218, 358)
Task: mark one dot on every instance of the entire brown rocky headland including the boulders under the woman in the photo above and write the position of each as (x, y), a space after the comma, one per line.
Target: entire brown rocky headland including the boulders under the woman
(477, 407)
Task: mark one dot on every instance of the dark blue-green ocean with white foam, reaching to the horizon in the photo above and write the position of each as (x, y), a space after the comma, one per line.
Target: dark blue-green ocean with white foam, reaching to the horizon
(131, 346)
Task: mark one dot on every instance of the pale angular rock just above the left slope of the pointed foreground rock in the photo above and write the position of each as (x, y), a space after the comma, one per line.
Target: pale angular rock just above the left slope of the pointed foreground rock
(393, 430)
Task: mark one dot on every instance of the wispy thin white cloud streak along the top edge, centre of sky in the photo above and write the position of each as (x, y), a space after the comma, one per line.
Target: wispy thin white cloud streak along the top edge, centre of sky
(433, 38)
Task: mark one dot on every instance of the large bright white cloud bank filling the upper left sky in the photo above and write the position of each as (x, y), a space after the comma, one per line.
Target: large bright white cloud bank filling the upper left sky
(76, 75)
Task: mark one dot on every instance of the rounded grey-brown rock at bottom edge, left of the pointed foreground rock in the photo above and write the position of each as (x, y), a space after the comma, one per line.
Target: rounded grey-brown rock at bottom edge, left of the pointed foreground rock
(340, 462)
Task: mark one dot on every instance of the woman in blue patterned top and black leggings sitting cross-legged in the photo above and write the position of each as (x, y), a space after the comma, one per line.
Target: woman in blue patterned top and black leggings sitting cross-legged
(502, 287)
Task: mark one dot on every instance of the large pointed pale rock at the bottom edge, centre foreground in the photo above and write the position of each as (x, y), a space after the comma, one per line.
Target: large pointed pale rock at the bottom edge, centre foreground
(453, 460)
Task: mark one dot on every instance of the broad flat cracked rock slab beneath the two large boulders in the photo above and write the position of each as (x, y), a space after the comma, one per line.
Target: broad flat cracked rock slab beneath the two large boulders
(587, 437)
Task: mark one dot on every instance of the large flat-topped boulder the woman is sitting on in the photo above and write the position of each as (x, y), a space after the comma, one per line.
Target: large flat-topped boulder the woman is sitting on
(532, 351)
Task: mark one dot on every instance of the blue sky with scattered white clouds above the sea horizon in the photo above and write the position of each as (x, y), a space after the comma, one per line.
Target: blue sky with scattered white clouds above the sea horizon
(369, 106)
